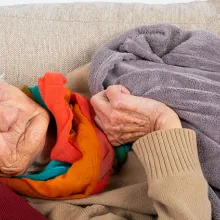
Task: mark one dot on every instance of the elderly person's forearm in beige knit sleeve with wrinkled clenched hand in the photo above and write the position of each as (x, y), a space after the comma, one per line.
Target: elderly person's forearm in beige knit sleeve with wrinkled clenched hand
(167, 152)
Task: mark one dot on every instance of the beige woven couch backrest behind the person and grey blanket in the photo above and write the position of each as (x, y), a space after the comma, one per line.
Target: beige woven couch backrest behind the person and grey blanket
(60, 37)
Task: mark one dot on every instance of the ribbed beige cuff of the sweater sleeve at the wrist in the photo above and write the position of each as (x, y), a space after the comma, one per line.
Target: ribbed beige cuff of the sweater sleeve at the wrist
(168, 152)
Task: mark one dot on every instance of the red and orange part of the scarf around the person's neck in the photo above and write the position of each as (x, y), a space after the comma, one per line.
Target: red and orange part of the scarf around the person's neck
(79, 142)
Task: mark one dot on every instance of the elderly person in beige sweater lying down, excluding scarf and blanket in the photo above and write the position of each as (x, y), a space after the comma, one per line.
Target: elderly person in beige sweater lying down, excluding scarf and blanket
(161, 179)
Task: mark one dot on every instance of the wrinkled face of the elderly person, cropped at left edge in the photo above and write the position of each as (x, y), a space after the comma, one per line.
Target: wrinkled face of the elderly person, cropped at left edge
(23, 128)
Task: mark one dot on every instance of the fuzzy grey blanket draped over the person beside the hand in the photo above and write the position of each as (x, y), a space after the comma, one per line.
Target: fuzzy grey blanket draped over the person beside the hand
(178, 67)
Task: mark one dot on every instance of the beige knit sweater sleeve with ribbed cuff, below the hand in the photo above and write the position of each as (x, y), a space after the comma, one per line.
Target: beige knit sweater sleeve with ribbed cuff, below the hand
(176, 183)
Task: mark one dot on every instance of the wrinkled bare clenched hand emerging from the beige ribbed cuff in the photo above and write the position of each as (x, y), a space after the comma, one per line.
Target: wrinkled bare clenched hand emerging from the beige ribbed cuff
(125, 118)
